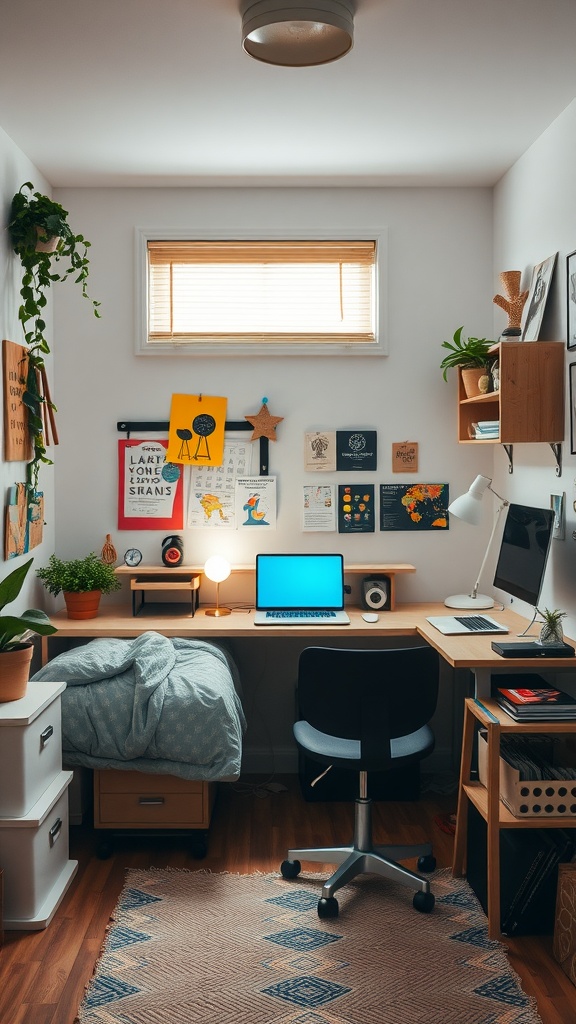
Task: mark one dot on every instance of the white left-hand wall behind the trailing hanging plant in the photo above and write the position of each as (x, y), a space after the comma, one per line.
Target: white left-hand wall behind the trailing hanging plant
(15, 170)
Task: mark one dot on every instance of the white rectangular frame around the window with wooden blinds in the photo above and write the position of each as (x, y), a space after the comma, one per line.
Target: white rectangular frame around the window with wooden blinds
(148, 349)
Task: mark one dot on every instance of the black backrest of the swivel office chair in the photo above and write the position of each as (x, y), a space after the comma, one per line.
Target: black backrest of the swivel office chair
(371, 696)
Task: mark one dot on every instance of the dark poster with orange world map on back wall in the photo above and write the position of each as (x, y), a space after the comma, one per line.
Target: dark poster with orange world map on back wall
(415, 506)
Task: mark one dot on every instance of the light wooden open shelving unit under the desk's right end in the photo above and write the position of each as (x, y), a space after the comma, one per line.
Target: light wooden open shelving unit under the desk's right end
(487, 799)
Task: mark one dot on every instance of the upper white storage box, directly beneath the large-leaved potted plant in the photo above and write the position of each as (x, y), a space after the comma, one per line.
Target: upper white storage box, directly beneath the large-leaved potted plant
(30, 747)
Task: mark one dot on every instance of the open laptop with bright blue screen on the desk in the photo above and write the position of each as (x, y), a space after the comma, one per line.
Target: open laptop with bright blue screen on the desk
(301, 590)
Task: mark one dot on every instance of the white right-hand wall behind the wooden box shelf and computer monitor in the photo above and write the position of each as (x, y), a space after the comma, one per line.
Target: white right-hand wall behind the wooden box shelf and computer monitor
(536, 217)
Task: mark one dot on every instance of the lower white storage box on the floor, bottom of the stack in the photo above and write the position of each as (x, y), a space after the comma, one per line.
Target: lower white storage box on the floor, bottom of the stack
(34, 852)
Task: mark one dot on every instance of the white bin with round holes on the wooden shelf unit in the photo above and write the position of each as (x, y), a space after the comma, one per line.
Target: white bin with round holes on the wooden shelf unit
(540, 799)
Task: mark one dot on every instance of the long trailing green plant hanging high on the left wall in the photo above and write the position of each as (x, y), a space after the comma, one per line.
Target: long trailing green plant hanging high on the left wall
(50, 251)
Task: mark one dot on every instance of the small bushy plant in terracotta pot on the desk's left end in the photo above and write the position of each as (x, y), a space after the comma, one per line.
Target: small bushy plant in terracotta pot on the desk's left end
(83, 581)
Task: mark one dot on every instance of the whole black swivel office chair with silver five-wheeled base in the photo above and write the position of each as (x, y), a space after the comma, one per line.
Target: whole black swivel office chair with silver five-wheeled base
(367, 711)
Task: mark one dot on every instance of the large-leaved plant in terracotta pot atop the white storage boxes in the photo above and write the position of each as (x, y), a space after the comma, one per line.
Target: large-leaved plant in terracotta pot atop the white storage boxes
(16, 649)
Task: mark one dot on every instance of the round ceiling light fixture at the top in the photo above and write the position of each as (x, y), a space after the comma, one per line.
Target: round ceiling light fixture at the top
(298, 33)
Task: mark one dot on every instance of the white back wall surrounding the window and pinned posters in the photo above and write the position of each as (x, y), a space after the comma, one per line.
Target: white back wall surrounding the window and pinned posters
(440, 276)
